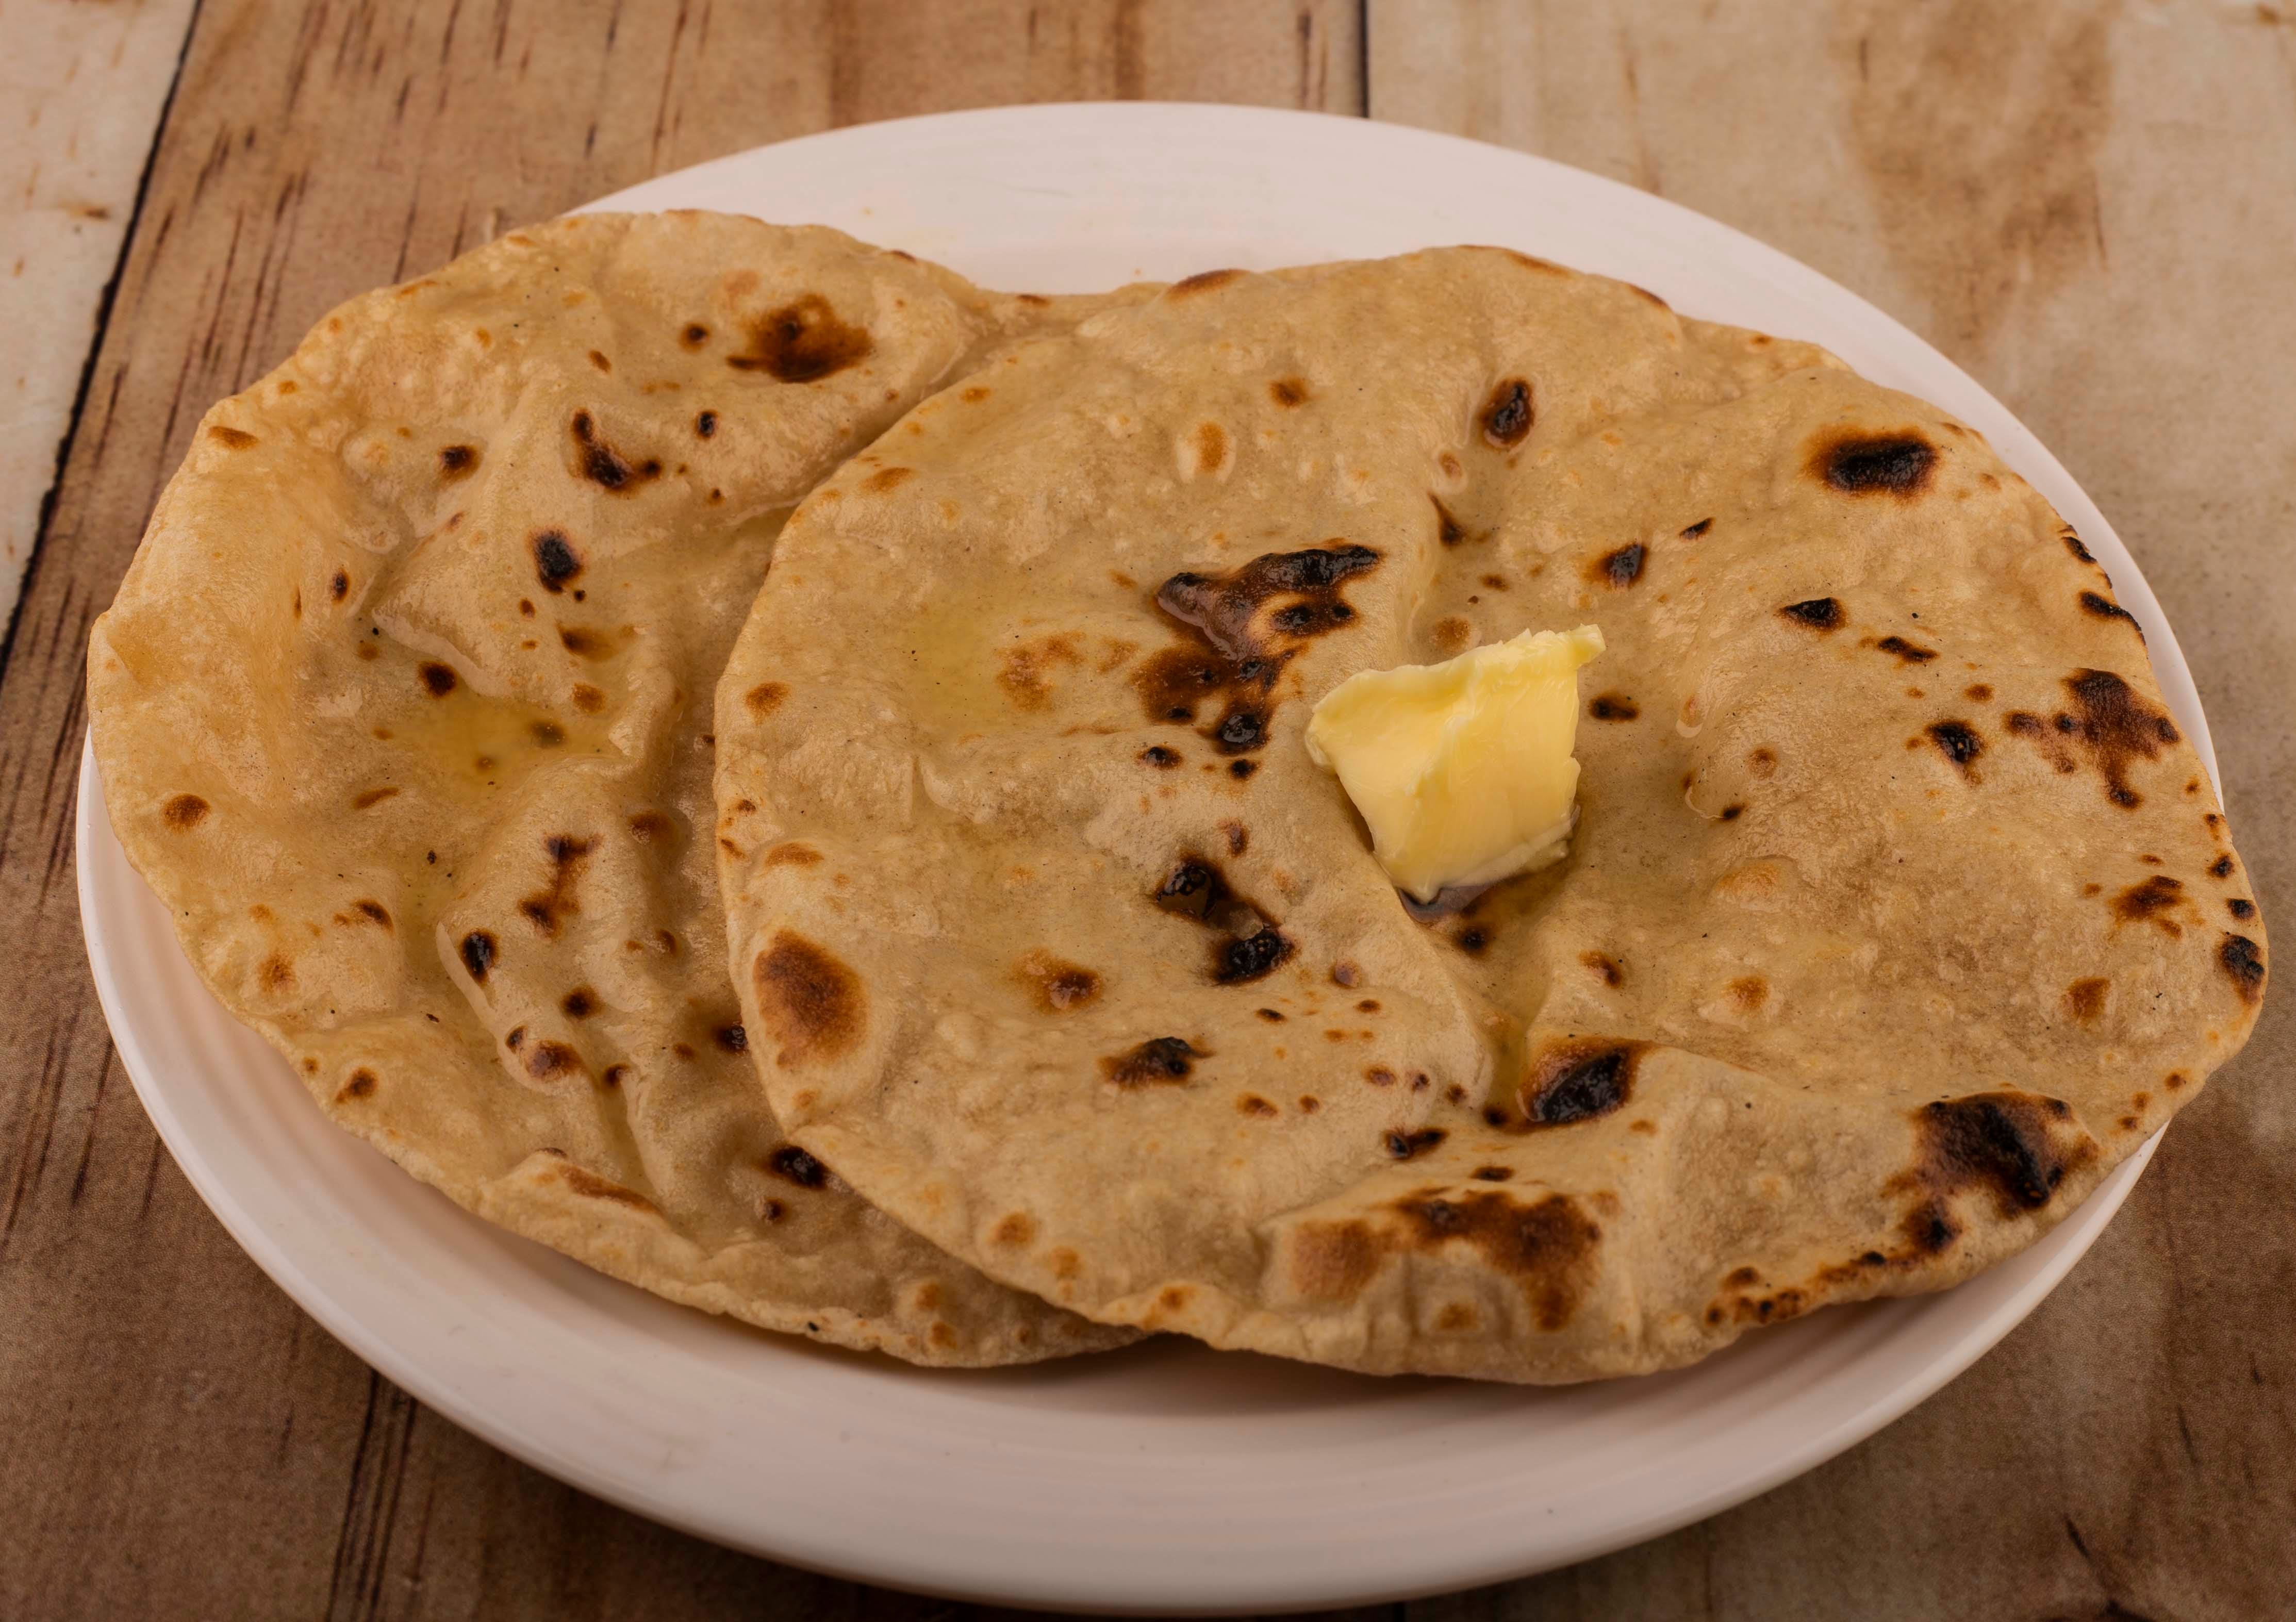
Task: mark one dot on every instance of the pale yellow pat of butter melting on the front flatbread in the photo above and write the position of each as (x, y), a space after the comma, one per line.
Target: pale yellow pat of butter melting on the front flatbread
(1464, 768)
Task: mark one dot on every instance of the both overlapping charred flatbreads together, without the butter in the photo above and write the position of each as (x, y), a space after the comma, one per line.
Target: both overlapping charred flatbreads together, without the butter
(779, 773)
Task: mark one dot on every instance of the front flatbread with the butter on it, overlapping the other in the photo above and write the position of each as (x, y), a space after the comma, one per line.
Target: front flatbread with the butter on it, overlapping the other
(1898, 911)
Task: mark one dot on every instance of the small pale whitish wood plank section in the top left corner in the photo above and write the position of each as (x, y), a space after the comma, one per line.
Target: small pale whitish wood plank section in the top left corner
(82, 91)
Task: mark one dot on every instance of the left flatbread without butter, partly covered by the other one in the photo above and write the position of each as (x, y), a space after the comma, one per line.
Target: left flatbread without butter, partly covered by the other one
(405, 704)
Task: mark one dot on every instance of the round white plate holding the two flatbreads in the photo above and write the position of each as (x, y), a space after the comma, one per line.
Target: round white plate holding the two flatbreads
(1163, 1478)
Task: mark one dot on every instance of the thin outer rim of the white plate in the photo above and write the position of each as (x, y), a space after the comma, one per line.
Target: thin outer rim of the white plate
(375, 1347)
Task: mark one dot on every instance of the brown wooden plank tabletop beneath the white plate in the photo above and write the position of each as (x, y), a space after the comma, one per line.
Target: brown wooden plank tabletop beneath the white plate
(2093, 208)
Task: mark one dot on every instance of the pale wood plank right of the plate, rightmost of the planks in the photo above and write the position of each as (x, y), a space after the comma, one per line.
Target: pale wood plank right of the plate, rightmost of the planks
(2072, 201)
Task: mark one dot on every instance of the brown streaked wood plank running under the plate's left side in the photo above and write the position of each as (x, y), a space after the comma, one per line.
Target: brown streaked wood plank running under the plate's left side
(183, 1439)
